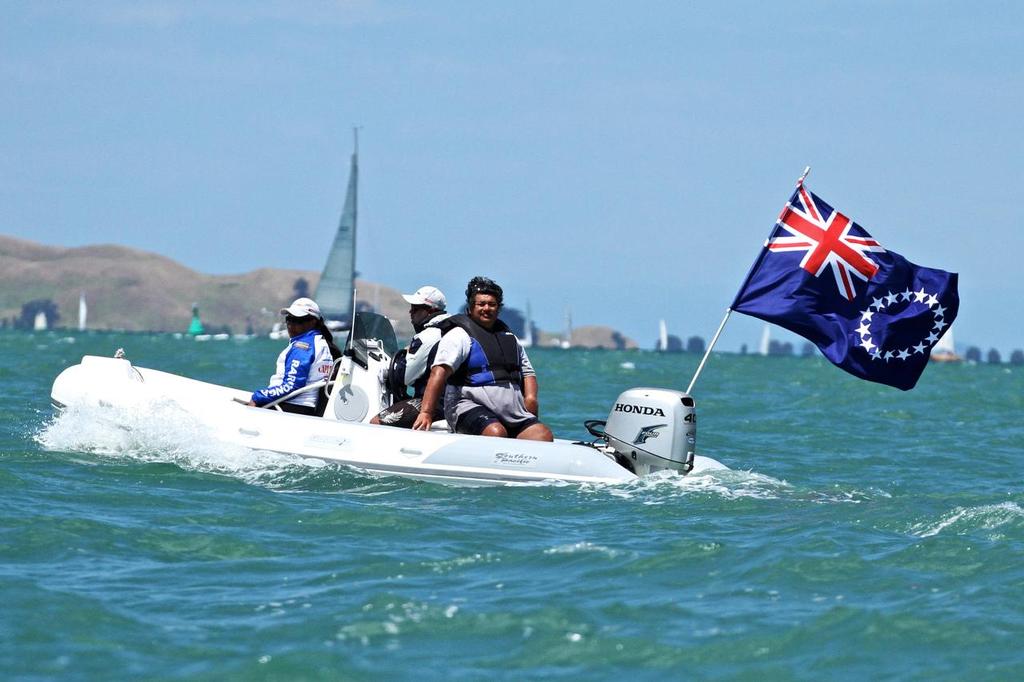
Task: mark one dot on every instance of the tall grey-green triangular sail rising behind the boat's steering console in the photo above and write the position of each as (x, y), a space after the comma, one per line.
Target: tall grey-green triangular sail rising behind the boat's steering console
(334, 292)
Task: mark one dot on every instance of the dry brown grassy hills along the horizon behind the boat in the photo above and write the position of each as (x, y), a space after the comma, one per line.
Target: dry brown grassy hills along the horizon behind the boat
(133, 290)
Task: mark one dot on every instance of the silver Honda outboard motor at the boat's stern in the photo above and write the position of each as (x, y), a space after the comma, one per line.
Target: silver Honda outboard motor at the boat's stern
(654, 430)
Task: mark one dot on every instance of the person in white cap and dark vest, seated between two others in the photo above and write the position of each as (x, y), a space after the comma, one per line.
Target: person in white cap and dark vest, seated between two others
(426, 310)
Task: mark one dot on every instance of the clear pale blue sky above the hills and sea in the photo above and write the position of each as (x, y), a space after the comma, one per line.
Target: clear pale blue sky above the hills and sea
(625, 160)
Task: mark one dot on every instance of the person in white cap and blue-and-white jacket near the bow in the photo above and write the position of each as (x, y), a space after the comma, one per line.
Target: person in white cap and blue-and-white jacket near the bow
(309, 359)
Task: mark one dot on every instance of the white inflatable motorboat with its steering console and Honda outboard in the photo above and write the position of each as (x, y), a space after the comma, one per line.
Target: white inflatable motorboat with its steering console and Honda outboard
(648, 430)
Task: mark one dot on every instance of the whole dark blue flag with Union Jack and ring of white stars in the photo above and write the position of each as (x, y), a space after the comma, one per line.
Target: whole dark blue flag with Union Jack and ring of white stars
(869, 310)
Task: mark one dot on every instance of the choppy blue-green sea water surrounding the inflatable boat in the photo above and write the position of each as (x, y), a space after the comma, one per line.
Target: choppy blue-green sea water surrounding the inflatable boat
(863, 533)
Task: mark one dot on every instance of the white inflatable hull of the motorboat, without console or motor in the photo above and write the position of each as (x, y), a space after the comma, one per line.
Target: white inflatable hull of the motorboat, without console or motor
(116, 386)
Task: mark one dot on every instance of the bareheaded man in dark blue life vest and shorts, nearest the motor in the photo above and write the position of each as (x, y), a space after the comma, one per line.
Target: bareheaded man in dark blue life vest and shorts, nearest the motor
(490, 388)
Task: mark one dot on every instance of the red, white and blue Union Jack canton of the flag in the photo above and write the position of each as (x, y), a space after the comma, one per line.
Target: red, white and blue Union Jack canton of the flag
(834, 243)
